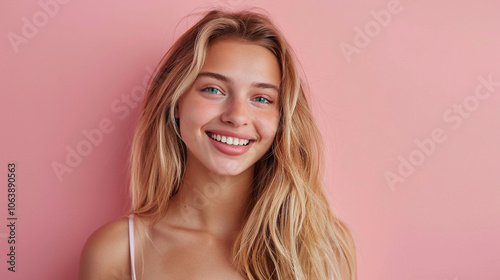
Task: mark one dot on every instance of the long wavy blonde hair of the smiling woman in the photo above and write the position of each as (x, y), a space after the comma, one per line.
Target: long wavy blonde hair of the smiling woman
(291, 231)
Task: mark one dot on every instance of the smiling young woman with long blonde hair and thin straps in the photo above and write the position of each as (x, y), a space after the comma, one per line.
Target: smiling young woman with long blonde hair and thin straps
(225, 168)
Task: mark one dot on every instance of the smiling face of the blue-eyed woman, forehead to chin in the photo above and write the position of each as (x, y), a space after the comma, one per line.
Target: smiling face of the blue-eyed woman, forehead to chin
(229, 116)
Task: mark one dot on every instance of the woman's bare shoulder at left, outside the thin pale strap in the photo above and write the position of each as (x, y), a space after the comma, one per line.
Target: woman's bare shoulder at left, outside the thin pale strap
(105, 255)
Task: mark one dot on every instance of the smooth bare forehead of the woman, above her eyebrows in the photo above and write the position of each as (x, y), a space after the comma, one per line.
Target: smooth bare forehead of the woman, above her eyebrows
(242, 61)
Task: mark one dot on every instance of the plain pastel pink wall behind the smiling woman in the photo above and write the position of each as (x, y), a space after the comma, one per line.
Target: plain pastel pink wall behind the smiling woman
(415, 178)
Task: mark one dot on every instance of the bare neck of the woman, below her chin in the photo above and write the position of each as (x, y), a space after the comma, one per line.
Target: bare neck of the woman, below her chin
(210, 202)
